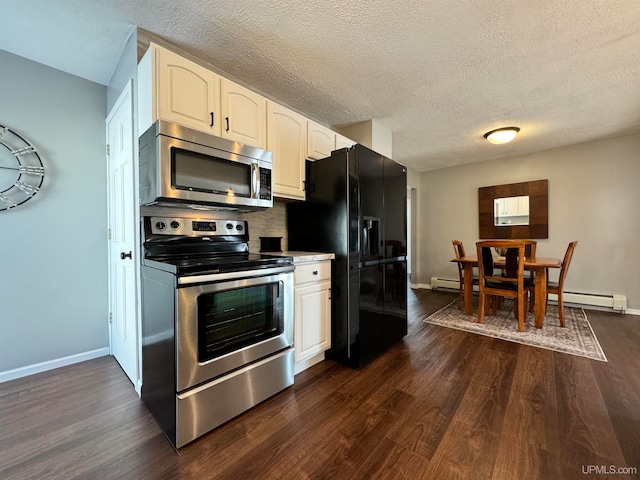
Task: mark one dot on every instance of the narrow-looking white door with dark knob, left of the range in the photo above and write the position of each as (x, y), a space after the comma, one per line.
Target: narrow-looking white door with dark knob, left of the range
(123, 259)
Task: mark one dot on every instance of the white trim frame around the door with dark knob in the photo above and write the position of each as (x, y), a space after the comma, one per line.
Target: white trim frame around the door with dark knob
(130, 90)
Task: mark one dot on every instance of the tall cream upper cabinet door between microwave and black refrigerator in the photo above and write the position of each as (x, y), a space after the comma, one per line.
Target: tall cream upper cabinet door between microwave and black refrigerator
(287, 141)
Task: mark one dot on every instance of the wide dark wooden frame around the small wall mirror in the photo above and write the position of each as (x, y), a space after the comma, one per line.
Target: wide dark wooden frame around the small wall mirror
(538, 193)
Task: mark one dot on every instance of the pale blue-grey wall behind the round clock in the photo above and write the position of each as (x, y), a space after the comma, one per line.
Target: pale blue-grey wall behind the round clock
(53, 286)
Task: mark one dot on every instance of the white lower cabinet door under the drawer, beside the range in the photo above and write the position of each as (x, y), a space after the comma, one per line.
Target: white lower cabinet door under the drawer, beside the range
(312, 320)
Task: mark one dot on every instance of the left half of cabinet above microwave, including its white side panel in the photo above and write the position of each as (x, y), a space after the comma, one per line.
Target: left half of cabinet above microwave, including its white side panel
(178, 90)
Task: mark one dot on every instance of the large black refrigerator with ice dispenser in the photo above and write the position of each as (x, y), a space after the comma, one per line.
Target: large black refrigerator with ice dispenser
(356, 208)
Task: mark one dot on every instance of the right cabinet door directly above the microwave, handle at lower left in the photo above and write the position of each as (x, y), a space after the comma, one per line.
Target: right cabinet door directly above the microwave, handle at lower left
(243, 115)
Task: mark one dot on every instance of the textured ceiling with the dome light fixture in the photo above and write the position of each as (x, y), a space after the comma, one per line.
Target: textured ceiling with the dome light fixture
(438, 73)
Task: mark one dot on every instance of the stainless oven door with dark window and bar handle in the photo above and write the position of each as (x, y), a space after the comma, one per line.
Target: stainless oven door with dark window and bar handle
(227, 321)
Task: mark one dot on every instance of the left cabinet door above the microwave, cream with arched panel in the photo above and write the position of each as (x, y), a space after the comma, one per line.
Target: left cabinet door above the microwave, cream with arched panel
(187, 93)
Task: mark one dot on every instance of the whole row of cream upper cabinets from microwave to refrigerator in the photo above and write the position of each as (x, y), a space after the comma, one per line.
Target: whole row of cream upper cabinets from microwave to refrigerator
(173, 88)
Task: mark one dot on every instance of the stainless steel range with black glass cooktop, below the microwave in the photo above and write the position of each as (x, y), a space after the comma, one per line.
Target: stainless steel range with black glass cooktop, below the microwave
(217, 323)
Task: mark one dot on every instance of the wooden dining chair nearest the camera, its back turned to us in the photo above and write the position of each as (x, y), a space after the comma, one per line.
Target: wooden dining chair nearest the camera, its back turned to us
(510, 282)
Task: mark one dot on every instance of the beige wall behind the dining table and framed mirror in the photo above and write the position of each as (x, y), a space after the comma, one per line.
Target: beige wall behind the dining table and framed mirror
(593, 198)
